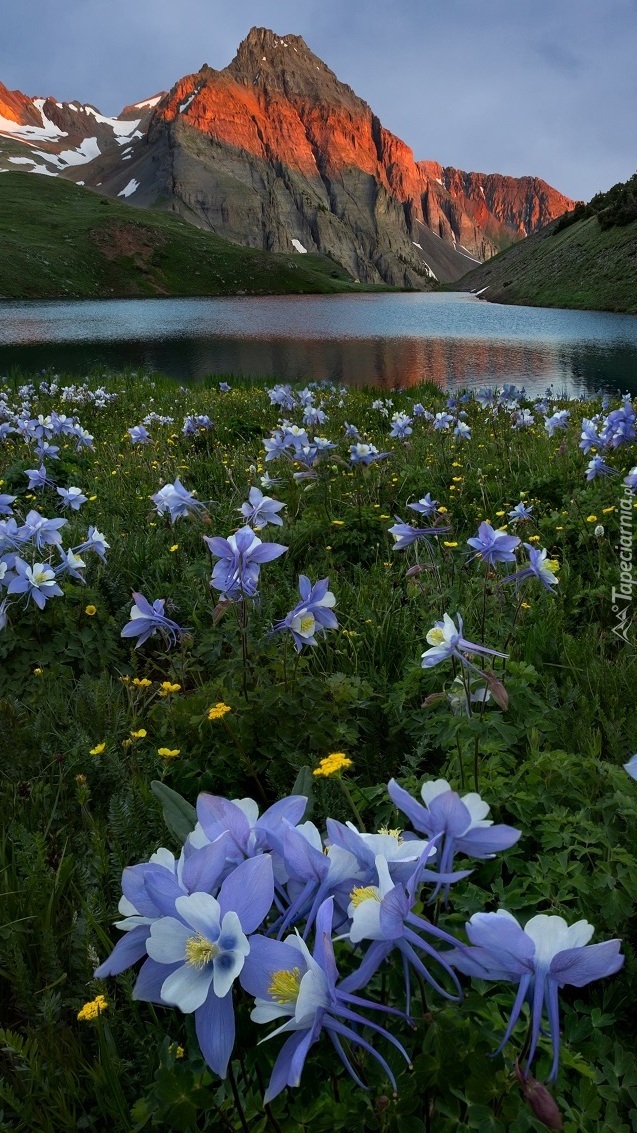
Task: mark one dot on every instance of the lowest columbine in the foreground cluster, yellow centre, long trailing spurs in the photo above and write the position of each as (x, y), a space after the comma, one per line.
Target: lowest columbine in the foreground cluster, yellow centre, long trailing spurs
(291, 983)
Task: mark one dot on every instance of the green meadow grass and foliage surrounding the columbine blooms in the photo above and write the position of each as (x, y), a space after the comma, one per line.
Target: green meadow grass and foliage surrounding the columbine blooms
(550, 763)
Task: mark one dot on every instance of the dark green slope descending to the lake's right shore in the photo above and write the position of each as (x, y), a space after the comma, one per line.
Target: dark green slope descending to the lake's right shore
(585, 260)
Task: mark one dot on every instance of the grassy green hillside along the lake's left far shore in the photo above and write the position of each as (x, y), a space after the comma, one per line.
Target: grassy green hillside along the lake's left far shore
(58, 241)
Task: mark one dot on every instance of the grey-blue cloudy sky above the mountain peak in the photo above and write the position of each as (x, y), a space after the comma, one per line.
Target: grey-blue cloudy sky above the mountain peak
(547, 88)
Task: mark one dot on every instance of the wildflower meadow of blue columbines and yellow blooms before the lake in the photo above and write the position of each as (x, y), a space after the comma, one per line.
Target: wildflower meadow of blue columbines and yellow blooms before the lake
(327, 700)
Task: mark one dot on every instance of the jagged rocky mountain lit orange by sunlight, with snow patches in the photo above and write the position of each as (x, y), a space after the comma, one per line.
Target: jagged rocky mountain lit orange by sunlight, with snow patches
(275, 152)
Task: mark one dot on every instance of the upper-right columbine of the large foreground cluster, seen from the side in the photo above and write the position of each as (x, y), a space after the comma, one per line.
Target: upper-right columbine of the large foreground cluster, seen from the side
(463, 823)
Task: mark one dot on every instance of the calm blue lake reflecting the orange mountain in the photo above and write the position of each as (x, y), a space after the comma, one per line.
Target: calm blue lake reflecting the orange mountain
(385, 340)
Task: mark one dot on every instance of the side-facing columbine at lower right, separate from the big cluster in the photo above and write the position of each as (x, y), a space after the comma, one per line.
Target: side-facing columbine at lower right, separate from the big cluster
(542, 958)
